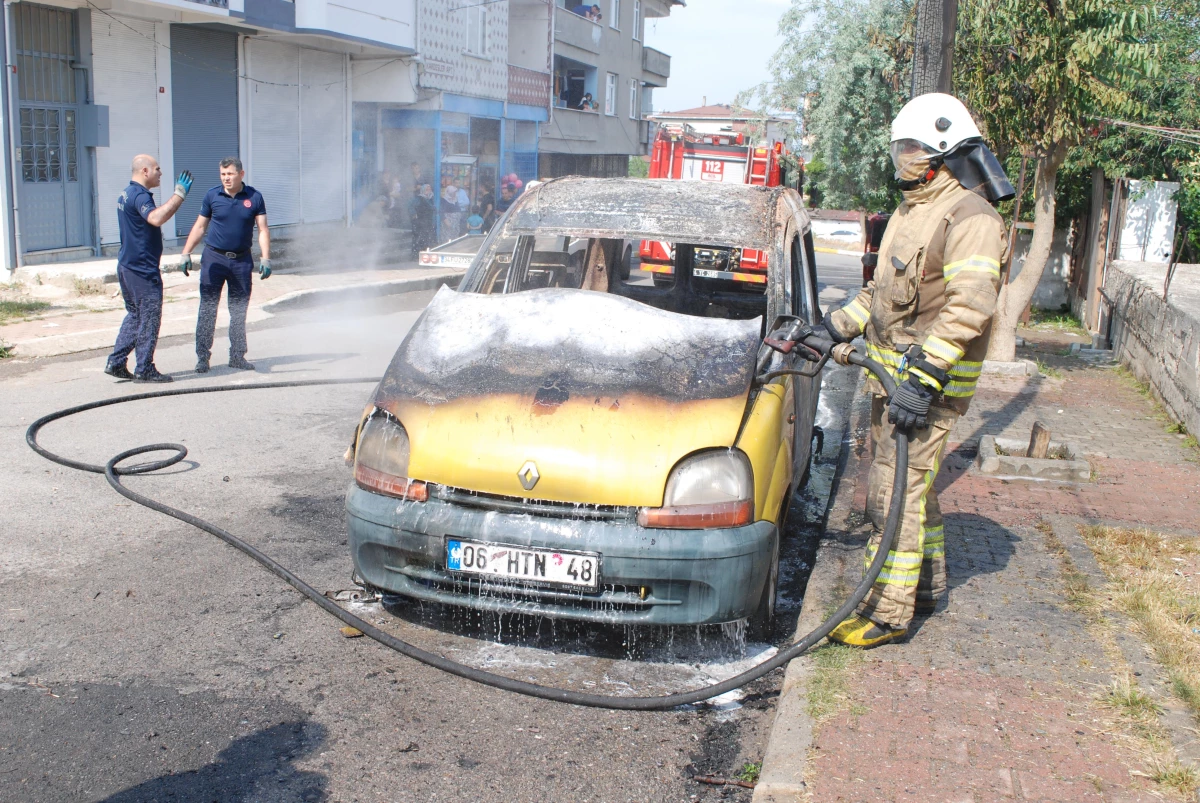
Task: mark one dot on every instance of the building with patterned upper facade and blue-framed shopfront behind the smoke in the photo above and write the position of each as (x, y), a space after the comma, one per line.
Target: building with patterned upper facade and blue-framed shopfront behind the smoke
(481, 92)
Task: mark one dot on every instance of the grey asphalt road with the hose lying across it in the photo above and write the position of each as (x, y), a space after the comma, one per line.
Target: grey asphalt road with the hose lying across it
(145, 661)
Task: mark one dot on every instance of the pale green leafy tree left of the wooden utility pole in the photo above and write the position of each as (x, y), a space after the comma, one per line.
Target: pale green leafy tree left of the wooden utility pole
(841, 69)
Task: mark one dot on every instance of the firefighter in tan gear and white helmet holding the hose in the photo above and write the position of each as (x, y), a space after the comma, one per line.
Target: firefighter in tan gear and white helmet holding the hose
(927, 316)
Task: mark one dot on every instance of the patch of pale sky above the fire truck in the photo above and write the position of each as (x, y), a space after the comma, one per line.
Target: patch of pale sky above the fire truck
(717, 49)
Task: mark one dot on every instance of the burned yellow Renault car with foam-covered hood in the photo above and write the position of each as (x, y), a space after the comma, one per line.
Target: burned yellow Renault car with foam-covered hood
(553, 439)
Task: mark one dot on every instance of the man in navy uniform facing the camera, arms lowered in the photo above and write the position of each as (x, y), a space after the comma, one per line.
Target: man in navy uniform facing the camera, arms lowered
(229, 214)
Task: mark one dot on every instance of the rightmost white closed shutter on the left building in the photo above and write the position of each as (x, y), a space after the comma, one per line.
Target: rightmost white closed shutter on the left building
(323, 135)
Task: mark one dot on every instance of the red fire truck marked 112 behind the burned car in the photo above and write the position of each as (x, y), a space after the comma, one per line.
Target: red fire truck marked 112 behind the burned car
(681, 153)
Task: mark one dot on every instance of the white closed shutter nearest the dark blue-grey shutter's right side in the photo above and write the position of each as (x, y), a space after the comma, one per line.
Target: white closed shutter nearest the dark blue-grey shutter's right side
(274, 164)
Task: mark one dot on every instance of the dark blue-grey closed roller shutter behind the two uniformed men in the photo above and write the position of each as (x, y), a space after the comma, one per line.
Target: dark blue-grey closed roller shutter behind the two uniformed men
(205, 110)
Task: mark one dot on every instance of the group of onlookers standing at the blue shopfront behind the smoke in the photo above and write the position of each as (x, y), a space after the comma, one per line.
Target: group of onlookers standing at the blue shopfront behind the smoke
(460, 214)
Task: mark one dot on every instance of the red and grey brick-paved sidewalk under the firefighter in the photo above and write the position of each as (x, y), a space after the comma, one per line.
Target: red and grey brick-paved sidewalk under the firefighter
(995, 698)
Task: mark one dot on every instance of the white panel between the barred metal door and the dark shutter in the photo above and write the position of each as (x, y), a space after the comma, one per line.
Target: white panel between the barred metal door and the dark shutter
(128, 83)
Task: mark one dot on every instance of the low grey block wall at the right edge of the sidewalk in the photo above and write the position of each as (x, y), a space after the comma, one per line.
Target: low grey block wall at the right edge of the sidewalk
(1160, 341)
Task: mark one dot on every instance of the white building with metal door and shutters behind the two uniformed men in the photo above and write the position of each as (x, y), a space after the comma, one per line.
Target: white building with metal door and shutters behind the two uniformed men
(94, 83)
